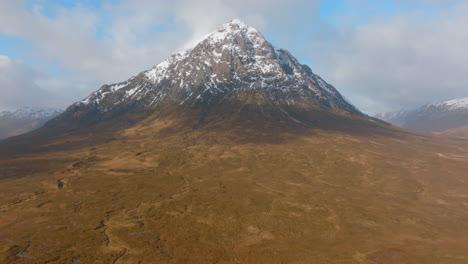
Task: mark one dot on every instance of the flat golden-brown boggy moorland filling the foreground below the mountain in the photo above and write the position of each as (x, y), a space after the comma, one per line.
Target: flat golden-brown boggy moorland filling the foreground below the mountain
(223, 193)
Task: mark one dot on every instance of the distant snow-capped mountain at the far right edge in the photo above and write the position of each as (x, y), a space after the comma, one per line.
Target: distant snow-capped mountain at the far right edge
(432, 117)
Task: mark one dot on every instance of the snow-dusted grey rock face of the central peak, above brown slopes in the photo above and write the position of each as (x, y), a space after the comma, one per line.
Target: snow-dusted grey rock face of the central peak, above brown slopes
(235, 64)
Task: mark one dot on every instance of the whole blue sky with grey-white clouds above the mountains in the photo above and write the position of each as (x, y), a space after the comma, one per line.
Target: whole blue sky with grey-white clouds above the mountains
(381, 55)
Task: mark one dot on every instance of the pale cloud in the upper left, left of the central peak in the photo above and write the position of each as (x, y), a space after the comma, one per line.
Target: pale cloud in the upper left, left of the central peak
(70, 38)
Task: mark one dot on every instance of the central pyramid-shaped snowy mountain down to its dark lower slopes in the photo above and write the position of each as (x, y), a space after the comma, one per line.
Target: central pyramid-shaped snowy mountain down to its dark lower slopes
(233, 75)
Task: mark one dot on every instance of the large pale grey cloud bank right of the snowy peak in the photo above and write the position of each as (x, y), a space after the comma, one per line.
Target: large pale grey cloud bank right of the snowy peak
(402, 61)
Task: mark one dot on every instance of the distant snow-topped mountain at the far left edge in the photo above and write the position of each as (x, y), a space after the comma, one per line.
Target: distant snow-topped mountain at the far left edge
(25, 119)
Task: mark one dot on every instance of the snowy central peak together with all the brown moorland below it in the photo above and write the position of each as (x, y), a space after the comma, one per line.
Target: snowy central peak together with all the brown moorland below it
(229, 152)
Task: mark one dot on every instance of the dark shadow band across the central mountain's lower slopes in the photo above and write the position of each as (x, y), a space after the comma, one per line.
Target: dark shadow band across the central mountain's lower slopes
(266, 124)
